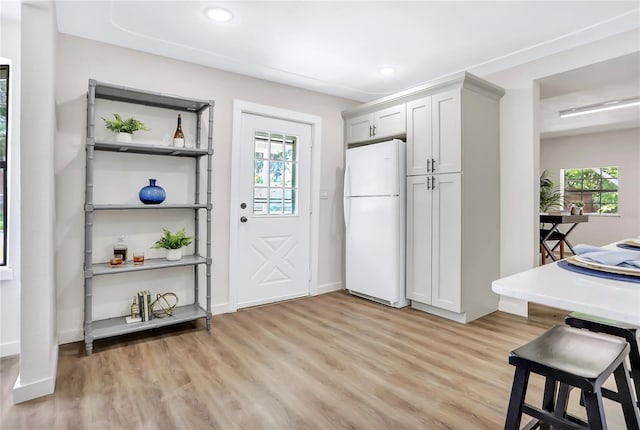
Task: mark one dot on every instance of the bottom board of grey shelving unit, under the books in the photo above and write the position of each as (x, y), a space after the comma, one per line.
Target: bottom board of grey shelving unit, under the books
(118, 326)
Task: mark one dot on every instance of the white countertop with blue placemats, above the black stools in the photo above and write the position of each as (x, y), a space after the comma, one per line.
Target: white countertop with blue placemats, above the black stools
(554, 286)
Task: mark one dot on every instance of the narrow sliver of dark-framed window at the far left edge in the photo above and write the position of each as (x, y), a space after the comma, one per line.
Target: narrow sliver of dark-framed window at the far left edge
(4, 114)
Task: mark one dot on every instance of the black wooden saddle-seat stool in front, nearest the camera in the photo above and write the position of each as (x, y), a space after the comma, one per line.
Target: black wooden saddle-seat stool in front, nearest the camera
(576, 358)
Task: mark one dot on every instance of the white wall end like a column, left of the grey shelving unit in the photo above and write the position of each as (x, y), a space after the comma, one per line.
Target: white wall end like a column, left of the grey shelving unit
(38, 340)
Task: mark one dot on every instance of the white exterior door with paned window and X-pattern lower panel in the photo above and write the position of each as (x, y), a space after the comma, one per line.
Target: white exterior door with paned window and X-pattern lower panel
(271, 261)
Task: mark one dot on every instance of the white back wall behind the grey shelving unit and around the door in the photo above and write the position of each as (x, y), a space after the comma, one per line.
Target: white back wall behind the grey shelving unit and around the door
(80, 59)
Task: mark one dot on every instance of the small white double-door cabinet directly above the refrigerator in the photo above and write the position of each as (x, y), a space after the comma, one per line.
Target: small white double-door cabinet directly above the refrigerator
(377, 125)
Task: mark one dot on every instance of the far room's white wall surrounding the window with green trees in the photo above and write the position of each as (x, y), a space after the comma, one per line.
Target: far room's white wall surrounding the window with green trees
(615, 148)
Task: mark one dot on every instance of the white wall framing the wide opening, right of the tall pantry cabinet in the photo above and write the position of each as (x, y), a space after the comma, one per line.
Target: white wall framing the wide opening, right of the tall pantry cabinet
(520, 146)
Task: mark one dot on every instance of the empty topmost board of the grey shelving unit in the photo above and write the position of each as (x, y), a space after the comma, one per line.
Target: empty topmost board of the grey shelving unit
(148, 98)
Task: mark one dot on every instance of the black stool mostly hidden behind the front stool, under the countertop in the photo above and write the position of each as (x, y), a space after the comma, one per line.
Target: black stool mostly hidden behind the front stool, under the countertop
(615, 328)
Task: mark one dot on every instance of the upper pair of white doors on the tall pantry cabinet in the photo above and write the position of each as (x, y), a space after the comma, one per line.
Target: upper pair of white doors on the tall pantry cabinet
(434, 134)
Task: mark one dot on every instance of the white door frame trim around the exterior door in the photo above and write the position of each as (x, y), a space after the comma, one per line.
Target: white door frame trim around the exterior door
(241, 107)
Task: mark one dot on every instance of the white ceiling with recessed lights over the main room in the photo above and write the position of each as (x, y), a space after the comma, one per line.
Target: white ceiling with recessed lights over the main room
(338, 47)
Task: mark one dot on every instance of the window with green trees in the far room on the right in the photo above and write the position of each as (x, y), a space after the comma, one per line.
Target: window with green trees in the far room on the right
(596, 187)
